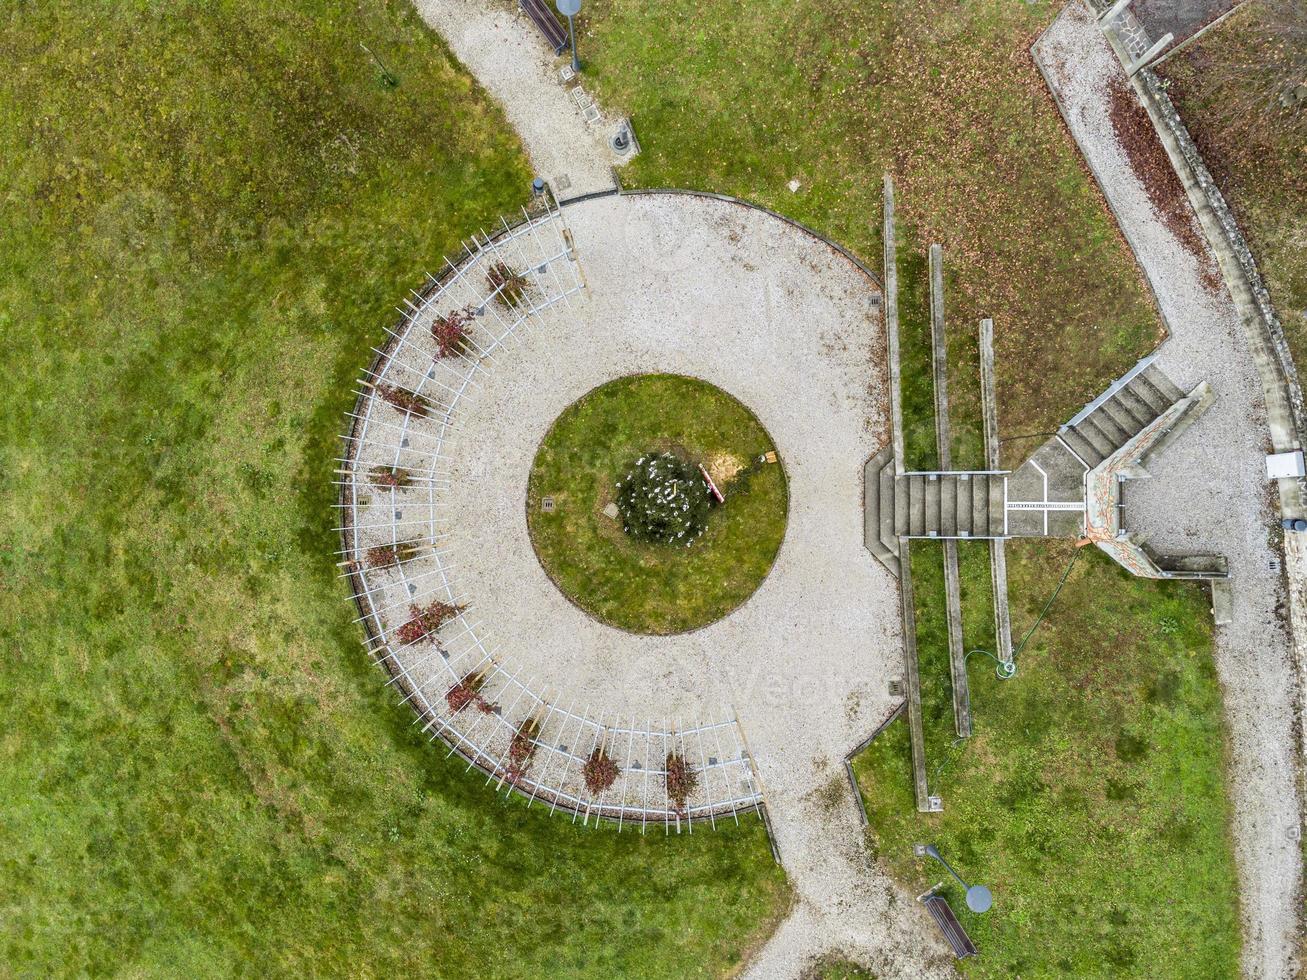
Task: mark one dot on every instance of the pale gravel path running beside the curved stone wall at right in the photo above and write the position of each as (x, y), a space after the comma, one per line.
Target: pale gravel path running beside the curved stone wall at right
(1225, 508)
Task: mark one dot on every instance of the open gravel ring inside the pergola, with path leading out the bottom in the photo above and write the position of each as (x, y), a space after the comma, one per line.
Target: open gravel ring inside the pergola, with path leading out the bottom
(791, 329)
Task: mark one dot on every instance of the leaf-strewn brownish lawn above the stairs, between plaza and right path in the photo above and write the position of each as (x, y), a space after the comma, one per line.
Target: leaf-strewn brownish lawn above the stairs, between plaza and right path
(746, 96)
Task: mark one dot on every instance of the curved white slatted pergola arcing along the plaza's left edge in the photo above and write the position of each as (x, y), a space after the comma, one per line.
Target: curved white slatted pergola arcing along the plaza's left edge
(506, 719)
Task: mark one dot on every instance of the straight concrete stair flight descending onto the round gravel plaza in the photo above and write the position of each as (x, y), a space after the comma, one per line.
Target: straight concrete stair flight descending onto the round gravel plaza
(959, 505)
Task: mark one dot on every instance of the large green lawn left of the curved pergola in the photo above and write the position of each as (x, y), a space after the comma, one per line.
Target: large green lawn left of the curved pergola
(208, 212)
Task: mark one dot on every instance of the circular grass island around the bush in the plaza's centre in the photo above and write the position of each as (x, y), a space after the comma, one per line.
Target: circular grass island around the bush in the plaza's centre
(641, 587)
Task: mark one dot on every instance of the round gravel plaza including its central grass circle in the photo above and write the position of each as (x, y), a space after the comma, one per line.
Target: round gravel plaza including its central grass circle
(697, 326)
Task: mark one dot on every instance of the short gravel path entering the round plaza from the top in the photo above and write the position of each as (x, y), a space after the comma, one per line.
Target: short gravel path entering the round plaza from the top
(510, 58)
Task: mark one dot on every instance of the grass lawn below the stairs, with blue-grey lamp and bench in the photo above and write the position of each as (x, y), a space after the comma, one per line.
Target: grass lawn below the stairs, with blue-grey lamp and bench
(1092, 796)
